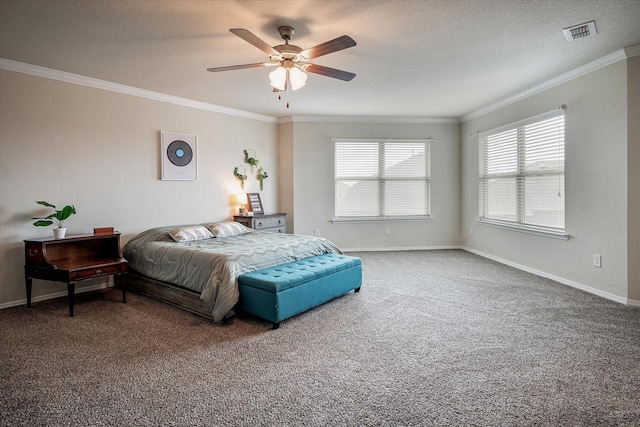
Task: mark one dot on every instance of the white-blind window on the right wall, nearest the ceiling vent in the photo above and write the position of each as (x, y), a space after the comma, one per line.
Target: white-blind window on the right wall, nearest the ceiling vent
(522, 174)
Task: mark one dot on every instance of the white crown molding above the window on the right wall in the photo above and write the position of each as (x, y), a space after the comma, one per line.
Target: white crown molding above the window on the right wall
(612, 58)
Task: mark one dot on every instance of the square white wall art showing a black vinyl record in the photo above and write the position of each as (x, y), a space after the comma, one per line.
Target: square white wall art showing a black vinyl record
(179, 154)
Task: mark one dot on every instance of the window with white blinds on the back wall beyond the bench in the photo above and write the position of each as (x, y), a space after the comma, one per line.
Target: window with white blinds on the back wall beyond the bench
(382, 178)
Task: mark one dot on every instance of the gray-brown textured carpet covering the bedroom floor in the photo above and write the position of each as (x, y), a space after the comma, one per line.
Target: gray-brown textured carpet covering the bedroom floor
(434, 338)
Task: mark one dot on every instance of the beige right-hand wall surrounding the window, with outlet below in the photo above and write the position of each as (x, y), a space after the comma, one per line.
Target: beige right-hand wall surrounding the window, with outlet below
(596, 185)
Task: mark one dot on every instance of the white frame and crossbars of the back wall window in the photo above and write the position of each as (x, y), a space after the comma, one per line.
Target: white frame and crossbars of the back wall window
(381, 178)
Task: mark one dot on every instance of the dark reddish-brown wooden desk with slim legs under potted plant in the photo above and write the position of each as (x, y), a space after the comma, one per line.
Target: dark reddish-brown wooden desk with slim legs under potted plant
(73, 259)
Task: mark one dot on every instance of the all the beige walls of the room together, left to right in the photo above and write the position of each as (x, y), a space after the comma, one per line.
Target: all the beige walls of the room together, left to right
(67, 143)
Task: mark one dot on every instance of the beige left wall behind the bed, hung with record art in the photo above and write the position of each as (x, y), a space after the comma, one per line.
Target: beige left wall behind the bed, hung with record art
(100, 150)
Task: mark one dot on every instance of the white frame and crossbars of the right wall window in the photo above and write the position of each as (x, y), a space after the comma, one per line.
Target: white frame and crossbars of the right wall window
(519, 176)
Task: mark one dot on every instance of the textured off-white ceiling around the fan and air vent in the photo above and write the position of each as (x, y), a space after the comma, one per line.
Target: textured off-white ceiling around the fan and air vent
(414, 58)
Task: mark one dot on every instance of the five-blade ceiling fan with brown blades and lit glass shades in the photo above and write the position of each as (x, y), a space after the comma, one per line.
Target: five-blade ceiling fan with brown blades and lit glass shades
(292, 61)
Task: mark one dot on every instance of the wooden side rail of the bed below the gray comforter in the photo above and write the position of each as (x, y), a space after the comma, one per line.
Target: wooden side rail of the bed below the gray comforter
(177, 296)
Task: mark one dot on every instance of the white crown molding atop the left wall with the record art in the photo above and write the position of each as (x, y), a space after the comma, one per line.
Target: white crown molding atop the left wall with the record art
(48, 73)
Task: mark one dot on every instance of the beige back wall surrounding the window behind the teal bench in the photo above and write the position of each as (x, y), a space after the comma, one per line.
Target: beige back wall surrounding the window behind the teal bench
(313, 192)
